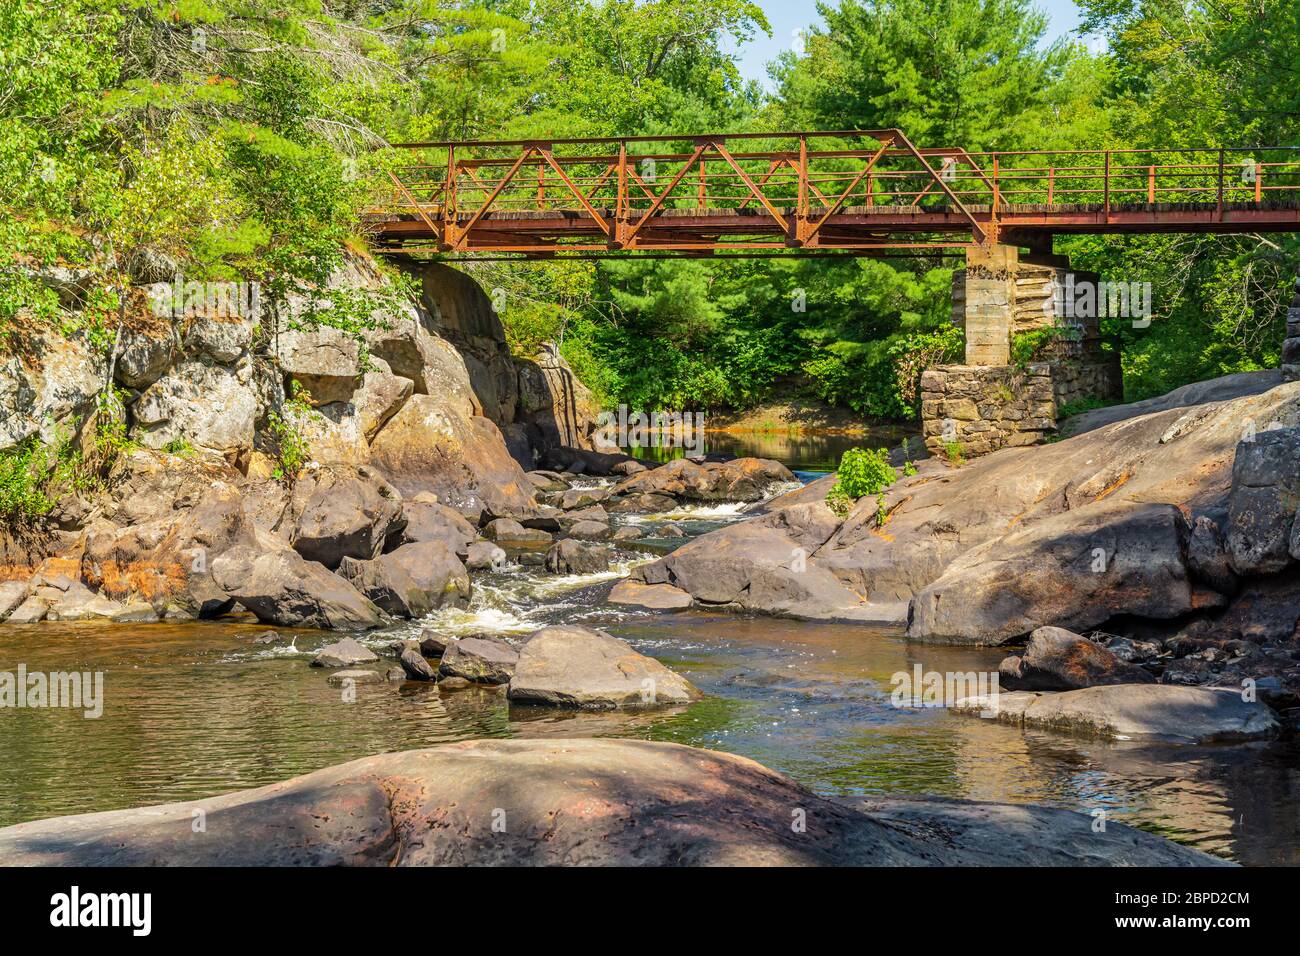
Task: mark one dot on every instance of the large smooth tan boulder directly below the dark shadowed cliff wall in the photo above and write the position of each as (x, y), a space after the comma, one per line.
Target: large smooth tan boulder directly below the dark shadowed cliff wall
(432, 448)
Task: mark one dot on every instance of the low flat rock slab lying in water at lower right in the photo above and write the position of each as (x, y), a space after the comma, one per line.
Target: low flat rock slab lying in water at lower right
(1182, 715)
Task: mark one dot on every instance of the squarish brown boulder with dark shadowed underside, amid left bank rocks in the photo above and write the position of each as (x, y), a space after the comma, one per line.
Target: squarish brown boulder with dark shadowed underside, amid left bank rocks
(343, 512)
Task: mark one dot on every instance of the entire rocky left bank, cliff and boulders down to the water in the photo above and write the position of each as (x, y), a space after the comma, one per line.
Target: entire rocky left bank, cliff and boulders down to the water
(402, 430)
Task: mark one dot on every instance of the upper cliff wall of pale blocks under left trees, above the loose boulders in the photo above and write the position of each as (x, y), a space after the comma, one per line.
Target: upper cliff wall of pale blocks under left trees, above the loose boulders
(215, 382)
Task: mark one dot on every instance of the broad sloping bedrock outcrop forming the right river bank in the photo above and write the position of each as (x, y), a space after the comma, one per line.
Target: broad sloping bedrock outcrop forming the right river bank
(991, 551)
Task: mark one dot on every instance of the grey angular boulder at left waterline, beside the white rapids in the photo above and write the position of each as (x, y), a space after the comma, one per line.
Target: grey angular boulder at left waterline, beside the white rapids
(413, 581)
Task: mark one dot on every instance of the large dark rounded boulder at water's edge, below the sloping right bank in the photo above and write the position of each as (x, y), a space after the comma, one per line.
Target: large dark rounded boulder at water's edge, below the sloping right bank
(1073, 570)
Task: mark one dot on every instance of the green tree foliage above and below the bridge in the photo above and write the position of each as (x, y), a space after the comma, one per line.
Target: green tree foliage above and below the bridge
(237, 139)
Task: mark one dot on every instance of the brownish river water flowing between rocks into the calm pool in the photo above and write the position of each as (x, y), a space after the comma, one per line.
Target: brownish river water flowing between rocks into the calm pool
(201, 710)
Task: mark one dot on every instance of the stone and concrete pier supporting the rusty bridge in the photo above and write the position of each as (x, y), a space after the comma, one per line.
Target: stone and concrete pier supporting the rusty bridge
(1030, 353)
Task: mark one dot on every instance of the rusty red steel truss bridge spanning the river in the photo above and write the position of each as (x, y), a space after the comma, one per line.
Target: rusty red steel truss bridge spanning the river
(856, 193)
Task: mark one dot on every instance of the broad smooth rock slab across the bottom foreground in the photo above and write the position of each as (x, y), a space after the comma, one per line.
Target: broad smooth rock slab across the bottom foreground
(573, 803)
